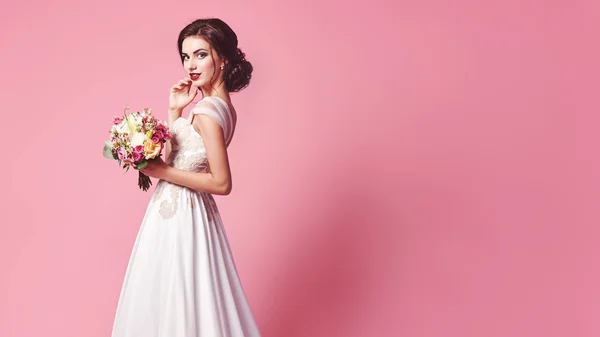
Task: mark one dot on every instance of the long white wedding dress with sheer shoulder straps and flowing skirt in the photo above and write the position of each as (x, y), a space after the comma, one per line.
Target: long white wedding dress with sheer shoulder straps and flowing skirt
(181, 280)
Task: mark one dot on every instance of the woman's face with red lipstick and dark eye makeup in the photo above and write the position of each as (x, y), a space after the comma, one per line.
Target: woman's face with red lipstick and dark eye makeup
(200, 61)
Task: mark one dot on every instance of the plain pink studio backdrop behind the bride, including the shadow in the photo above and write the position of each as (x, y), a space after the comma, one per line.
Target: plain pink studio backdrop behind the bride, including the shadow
(400, 169)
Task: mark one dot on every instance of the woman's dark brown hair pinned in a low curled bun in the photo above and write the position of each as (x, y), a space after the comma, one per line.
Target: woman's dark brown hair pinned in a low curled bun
(222, 38)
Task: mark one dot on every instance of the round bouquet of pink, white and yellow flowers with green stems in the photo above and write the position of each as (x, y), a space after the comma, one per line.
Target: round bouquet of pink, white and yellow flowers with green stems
(135, 139)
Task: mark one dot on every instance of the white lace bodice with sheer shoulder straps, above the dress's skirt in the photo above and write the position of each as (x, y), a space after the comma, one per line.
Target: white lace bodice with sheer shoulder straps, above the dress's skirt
(187, 148)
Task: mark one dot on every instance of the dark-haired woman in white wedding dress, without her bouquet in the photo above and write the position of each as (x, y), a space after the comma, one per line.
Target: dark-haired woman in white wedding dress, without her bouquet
(181, 280)
